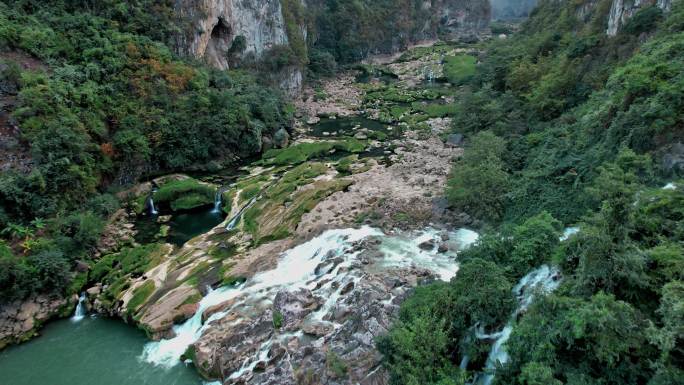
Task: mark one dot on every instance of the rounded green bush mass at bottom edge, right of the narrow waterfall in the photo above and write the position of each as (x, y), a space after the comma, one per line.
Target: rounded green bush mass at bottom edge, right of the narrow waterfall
(567, 337)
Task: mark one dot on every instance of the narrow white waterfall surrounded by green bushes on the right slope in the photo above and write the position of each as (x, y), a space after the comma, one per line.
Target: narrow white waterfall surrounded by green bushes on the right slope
(542, 280)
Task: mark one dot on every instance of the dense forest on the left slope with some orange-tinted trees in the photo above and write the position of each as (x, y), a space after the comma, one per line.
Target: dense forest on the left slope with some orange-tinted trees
(104, 104)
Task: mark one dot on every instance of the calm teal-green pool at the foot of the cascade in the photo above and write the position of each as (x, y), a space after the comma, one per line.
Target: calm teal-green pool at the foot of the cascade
(92, 351)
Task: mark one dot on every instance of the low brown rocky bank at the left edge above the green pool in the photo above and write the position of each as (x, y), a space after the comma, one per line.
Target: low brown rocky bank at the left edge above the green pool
(19, 320)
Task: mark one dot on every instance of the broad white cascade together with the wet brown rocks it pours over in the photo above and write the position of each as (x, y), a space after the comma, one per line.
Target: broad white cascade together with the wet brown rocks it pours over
(321, 306)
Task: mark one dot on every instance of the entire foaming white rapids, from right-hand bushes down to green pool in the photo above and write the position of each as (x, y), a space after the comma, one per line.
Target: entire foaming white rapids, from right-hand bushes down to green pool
(297, 268)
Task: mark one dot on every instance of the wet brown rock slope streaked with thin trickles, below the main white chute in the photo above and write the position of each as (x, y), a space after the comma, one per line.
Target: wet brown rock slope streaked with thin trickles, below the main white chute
(327, 331)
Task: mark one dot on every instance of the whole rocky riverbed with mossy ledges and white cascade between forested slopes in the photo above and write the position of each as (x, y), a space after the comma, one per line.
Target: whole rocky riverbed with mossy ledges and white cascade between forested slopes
(315, 254)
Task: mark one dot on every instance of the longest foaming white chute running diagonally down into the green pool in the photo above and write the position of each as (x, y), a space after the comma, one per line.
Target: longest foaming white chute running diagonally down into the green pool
(295, 269)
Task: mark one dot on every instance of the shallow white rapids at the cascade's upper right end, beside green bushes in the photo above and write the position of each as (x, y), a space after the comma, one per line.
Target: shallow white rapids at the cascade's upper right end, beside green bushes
(403, 251)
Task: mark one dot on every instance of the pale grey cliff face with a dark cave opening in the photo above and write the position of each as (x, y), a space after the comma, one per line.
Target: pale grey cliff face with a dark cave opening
(219, 28)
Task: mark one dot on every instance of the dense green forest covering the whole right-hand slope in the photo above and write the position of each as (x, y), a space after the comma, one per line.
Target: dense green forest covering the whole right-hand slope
(566, 126)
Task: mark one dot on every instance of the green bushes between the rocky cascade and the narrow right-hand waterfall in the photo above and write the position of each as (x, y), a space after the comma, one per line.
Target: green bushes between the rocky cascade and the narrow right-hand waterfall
(419, 347)
